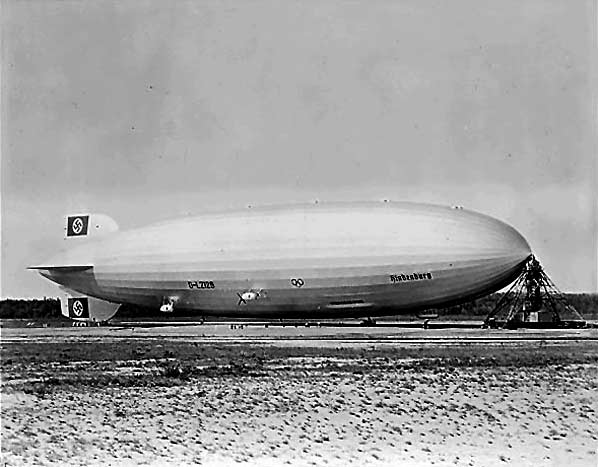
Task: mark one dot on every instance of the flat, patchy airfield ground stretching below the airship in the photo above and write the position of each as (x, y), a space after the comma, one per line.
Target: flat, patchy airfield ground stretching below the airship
(298, 396)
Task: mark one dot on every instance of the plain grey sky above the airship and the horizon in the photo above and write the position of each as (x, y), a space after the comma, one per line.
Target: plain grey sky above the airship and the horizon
(151, 110)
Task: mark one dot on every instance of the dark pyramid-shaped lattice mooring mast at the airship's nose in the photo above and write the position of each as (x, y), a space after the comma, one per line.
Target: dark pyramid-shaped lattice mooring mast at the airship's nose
(533, 301)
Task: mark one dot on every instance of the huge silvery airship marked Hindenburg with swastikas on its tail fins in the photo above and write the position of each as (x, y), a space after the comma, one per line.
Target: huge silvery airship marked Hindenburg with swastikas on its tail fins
(301, 261)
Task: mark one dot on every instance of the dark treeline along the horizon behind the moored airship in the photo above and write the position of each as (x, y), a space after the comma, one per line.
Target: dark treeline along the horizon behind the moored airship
(49, 308)
